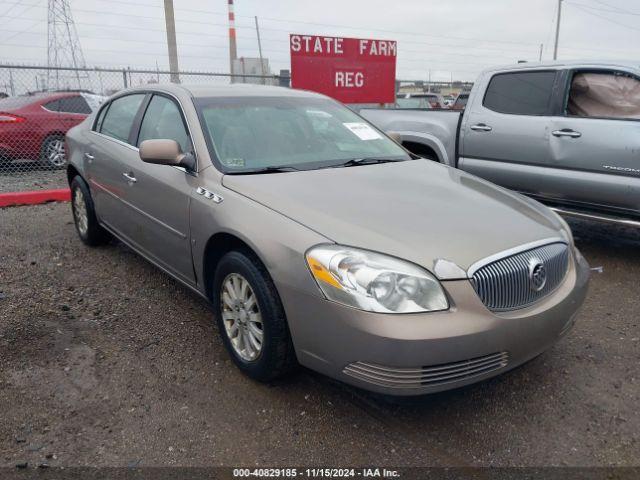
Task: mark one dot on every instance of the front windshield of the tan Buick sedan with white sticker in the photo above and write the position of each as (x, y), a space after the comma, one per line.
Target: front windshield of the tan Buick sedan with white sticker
(303, 133)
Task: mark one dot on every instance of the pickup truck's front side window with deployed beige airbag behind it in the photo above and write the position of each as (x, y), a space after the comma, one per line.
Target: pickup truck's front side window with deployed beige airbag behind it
(604, 95)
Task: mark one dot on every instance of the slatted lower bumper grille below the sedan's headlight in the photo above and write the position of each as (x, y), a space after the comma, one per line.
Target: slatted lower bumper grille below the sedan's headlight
(427, 376)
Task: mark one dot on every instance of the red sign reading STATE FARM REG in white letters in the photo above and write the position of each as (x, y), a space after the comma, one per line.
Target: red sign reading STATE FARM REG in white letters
(352, 70)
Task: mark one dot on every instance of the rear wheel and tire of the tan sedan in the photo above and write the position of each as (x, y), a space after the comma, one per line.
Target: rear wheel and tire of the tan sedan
(84, 215)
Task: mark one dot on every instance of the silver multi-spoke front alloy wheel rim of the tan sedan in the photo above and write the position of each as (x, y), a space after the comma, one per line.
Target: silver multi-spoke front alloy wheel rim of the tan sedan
(241, 316)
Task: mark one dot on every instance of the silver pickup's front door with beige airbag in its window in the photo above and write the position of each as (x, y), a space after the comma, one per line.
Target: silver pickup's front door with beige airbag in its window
(594, 143)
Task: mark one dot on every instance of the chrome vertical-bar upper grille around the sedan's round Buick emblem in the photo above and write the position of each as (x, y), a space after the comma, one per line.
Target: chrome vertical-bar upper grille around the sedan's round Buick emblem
(506, 284)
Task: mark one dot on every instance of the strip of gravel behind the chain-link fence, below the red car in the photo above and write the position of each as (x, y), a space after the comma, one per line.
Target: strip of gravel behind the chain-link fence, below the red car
(26, 176)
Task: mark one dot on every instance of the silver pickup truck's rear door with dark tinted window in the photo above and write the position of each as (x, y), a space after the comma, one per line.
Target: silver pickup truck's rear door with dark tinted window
(504, 136)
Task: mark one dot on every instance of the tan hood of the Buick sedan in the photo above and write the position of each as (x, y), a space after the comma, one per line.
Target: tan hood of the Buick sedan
(416, 210)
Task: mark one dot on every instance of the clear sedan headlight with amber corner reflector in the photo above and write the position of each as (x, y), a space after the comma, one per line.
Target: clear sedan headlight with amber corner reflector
(374, 282)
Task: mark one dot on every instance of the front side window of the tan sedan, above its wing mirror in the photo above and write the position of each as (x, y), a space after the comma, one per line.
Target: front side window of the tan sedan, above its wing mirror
(163, 120)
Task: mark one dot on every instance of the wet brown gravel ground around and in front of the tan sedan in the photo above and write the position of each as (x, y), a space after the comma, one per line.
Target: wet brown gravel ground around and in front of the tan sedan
(106, 361)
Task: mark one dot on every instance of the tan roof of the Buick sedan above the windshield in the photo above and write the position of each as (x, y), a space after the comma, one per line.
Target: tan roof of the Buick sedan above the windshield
(233, 90)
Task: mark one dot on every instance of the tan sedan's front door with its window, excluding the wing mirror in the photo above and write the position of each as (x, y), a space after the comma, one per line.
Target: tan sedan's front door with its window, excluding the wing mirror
(159, 198)
